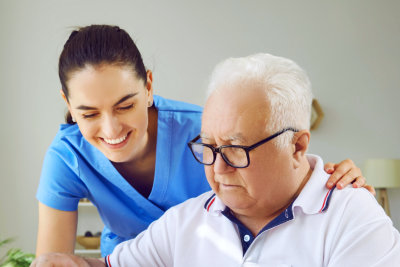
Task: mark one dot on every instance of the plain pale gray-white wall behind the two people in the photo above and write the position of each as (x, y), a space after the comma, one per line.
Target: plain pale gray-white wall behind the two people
(349, 48)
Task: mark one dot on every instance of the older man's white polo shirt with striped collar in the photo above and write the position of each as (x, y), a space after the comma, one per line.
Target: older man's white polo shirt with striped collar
(320, 228)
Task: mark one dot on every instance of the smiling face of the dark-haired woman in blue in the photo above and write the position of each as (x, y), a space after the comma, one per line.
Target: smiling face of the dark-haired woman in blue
(110, 106)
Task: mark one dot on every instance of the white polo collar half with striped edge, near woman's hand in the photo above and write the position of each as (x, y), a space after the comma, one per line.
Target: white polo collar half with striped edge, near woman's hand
(315, 197)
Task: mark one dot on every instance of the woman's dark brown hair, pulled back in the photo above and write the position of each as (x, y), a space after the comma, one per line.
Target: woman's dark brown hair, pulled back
(96, 45)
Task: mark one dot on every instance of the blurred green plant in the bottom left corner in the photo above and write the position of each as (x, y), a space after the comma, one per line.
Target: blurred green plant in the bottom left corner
(15, 257)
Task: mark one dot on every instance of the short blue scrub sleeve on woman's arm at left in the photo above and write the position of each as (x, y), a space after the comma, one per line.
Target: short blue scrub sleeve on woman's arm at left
(60, 186)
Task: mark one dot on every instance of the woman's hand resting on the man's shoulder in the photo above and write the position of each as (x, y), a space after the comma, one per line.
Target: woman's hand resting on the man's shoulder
(344, 173)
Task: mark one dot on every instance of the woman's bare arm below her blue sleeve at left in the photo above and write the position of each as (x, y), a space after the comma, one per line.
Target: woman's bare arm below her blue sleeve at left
(56, 230)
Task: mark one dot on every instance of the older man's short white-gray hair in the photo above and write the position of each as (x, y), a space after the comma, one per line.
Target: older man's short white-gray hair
(287, 88)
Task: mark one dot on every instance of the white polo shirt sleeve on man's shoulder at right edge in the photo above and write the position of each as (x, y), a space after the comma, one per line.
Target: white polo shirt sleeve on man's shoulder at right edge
(365, 228)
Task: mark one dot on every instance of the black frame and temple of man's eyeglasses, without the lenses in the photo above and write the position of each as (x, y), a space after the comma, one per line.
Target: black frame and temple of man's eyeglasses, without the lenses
(247, 149)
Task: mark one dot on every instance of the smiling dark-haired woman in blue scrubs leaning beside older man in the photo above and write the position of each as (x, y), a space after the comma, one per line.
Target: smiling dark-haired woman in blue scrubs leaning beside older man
(123, 148)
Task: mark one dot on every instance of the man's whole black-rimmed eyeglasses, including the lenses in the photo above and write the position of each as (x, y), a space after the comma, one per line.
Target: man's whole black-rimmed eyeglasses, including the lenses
(234, 155)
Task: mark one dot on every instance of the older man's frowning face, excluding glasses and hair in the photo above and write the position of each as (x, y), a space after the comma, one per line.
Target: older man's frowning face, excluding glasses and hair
(239, 116)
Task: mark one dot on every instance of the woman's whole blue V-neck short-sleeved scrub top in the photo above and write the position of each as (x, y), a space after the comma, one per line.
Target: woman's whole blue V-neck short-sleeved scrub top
(74, 169)
